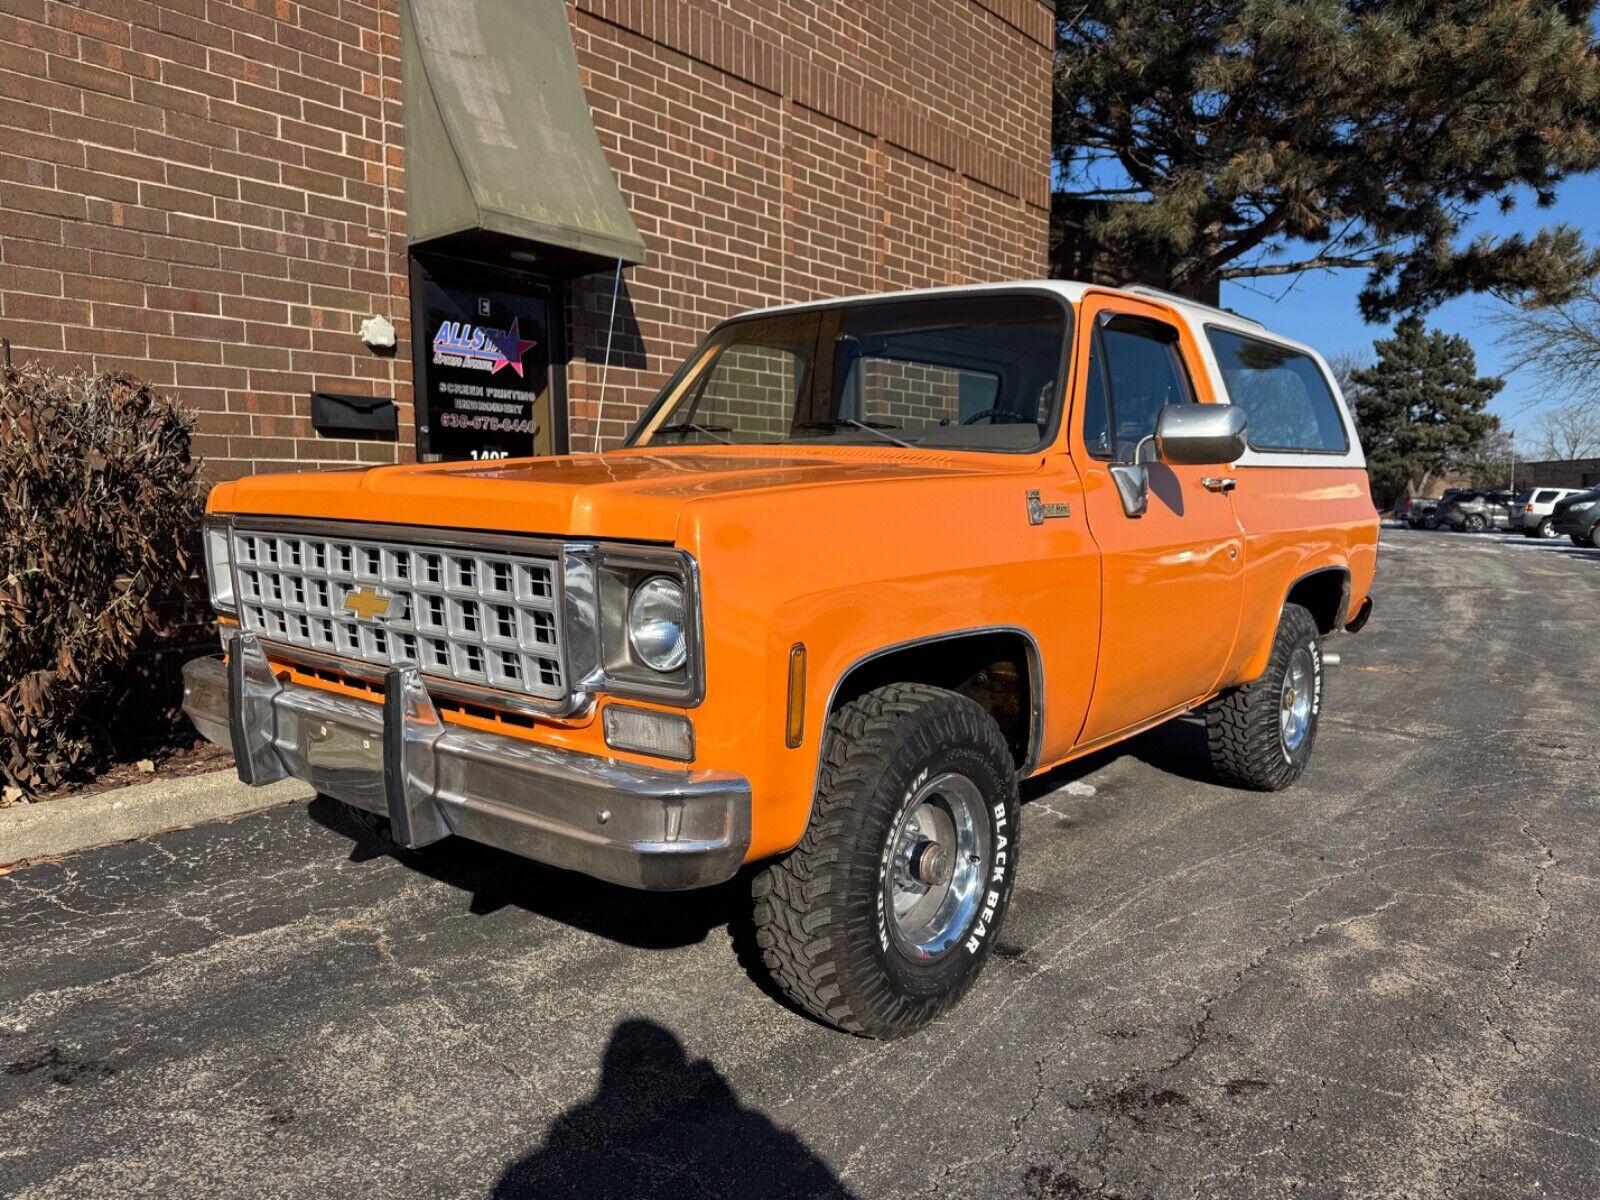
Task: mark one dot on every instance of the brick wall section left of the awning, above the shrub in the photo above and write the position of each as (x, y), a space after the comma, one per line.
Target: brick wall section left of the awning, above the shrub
(209, 194)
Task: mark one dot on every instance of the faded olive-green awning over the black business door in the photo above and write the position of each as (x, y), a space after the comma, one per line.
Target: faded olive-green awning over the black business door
(500, 145)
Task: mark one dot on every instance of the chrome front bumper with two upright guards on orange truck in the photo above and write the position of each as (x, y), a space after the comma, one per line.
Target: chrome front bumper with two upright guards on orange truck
(639, 826)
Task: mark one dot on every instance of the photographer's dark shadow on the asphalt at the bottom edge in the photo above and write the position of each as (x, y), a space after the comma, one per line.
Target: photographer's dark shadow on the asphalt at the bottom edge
(662, 1127)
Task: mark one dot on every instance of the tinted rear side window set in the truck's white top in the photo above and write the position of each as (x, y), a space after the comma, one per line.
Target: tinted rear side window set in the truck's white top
(1284, 394)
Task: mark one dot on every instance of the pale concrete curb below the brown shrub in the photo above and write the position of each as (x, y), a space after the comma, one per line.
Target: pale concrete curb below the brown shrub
(129, 814)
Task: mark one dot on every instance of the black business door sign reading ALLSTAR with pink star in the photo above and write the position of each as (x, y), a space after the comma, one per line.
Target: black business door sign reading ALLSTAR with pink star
(486, 366)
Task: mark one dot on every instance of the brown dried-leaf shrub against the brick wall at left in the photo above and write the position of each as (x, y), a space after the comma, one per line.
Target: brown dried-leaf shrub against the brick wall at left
(100, 511)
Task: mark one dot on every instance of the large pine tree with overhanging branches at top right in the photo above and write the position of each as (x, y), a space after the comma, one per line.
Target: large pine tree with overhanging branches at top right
(1246, 138)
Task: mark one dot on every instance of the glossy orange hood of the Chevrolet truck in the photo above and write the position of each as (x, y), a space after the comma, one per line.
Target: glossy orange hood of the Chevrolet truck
(636, 495)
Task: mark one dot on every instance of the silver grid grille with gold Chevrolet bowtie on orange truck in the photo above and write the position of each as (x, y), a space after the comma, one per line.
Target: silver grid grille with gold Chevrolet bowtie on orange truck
(484, 618)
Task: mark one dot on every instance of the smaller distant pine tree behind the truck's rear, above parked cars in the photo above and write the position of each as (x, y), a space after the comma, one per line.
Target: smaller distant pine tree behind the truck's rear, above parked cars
(1422, 407)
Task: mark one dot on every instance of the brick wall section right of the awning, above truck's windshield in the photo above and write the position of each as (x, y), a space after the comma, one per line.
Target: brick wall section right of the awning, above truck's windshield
(775, 153)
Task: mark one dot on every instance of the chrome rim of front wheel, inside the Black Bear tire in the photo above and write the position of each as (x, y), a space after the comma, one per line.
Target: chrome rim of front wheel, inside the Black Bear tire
(938, 862)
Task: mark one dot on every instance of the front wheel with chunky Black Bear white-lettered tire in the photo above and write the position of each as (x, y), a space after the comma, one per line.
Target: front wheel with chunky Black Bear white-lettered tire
(884, 914)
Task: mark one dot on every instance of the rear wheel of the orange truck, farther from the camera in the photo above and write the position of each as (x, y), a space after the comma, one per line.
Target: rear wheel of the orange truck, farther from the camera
(1262, 735)
